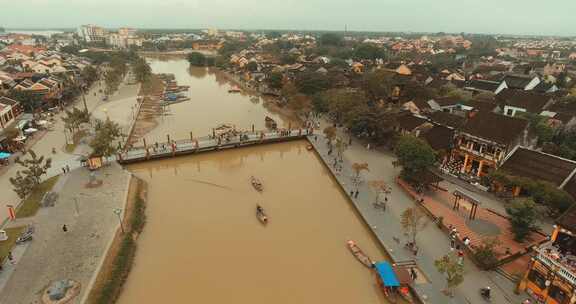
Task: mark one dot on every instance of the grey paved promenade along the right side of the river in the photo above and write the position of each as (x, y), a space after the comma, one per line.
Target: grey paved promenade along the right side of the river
(432, 241)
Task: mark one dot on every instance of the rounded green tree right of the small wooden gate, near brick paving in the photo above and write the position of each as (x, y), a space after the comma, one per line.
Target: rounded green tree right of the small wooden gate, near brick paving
(522, 213)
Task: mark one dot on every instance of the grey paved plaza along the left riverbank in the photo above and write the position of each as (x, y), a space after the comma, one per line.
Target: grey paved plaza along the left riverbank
(76, 254)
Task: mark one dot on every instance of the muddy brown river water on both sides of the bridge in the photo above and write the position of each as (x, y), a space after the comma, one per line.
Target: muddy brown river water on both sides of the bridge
(203, 243)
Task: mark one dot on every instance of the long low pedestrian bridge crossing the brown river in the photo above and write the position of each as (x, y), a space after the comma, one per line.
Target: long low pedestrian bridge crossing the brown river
(205, 144)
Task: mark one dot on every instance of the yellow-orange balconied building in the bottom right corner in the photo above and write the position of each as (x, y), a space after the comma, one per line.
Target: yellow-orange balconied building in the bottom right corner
(551, 274)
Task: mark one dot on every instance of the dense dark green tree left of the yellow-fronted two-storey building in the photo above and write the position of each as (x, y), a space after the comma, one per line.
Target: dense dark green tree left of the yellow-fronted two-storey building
(414, 155)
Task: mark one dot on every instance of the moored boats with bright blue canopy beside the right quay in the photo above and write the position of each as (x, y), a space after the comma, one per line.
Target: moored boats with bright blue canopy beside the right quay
(394, 280)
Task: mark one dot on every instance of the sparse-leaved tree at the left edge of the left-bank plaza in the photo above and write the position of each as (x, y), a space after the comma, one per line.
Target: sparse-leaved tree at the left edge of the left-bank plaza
(28, 178)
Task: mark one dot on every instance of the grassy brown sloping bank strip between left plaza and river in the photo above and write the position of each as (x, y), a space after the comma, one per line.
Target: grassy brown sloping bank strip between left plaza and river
(118, 262)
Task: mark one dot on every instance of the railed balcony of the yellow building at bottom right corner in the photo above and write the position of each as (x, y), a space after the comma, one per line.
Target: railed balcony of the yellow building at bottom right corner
(564, 266)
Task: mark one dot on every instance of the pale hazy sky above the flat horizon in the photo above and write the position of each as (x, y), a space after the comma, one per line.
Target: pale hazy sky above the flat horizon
(473, 16)
